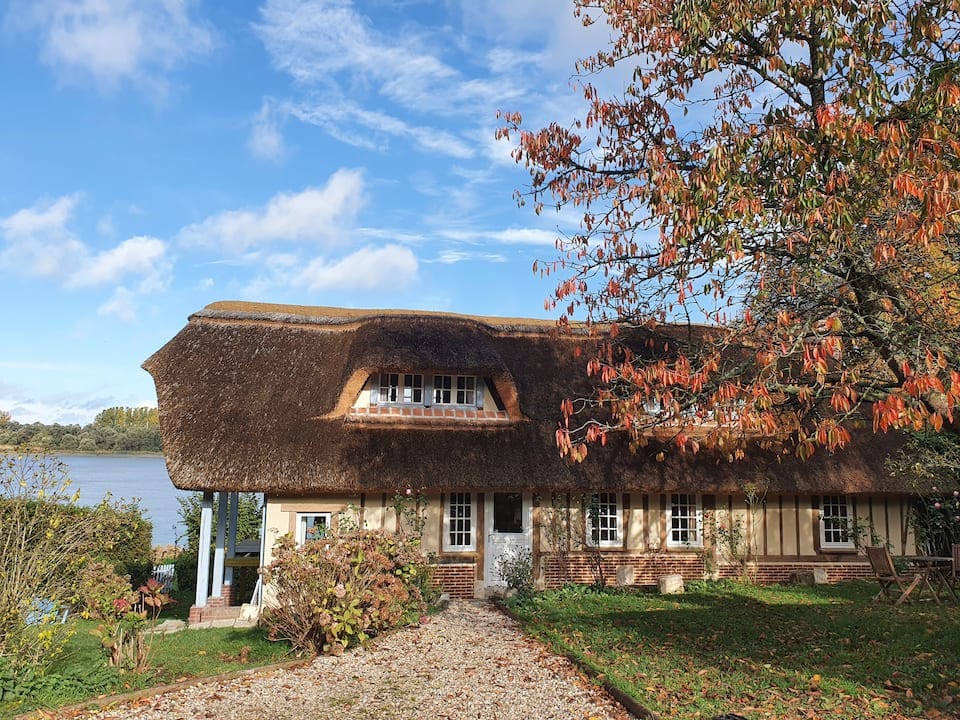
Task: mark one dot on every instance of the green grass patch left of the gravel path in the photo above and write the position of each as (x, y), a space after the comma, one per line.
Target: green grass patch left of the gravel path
(83, 674)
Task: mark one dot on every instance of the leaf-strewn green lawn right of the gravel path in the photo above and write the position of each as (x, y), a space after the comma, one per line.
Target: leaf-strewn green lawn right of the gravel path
(775, 652)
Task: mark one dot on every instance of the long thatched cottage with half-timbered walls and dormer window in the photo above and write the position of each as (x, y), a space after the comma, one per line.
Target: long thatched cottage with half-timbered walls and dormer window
(448, 422)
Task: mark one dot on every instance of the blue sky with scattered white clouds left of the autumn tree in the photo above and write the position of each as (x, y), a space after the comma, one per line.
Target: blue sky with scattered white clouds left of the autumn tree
(159, 155)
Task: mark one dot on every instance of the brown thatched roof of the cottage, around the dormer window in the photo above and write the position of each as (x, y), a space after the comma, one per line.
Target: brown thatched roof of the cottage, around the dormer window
(256, 397)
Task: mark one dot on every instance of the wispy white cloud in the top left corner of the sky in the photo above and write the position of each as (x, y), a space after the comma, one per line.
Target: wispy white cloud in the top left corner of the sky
(115, 41)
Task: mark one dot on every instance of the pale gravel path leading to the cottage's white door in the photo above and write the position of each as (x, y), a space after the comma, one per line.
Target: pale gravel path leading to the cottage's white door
(470, 661)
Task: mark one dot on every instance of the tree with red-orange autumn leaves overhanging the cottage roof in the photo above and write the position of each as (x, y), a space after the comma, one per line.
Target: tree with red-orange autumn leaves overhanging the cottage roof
(781, 178)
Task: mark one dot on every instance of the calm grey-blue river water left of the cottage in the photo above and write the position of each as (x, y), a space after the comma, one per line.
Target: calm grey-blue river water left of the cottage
(130, 476)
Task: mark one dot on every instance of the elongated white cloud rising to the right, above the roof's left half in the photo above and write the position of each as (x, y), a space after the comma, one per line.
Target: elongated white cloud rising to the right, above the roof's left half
(319, 215)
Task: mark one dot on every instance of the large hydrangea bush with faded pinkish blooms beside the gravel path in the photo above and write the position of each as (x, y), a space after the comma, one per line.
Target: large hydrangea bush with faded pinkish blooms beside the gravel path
(337, 592)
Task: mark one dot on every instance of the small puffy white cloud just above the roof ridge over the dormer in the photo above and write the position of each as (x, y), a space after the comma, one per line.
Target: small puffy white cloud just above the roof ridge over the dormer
(391, 267)
